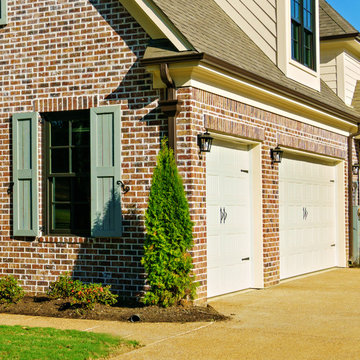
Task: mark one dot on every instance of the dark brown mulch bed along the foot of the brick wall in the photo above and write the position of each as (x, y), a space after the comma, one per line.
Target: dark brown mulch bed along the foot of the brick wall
(44, 306)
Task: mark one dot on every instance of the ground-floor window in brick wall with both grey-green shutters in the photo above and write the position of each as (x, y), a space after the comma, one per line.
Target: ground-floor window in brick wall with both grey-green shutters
(83, 169)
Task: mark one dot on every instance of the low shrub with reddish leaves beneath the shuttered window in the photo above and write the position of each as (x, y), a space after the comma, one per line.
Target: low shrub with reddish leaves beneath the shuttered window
(85, 295)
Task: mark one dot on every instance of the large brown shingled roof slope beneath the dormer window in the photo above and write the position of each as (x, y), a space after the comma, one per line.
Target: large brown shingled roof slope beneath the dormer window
(212, 32)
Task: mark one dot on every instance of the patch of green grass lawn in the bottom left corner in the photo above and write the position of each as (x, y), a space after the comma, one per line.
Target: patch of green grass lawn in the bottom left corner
(25, 343)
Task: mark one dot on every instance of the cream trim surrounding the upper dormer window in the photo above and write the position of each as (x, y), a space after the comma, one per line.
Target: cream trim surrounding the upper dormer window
(291, 68)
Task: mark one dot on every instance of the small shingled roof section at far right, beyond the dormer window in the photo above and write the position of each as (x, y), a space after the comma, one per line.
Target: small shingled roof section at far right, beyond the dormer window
(332, 24)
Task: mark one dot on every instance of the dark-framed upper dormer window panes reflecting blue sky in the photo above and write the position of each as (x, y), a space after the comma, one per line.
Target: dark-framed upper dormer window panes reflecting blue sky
(303, 32)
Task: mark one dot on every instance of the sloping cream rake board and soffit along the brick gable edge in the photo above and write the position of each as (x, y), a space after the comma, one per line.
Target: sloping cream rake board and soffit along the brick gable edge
(155, 23)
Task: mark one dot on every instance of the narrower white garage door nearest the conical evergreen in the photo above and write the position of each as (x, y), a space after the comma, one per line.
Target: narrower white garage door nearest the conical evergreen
(228, 219)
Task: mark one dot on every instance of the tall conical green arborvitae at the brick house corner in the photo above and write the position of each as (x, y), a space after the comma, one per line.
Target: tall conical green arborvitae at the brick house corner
(168, 236)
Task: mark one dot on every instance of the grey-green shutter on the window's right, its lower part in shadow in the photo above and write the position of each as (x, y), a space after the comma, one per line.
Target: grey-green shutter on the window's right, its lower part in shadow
(106, 218)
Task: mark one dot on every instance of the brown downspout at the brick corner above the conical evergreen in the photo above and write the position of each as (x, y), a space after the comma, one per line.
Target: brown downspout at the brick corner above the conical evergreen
(170, 106)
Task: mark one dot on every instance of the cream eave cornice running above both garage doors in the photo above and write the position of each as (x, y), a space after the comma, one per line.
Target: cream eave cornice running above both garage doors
(209, 79)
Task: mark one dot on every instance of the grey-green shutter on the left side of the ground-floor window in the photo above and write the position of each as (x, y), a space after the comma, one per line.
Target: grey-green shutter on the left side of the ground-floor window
(25, 174)
